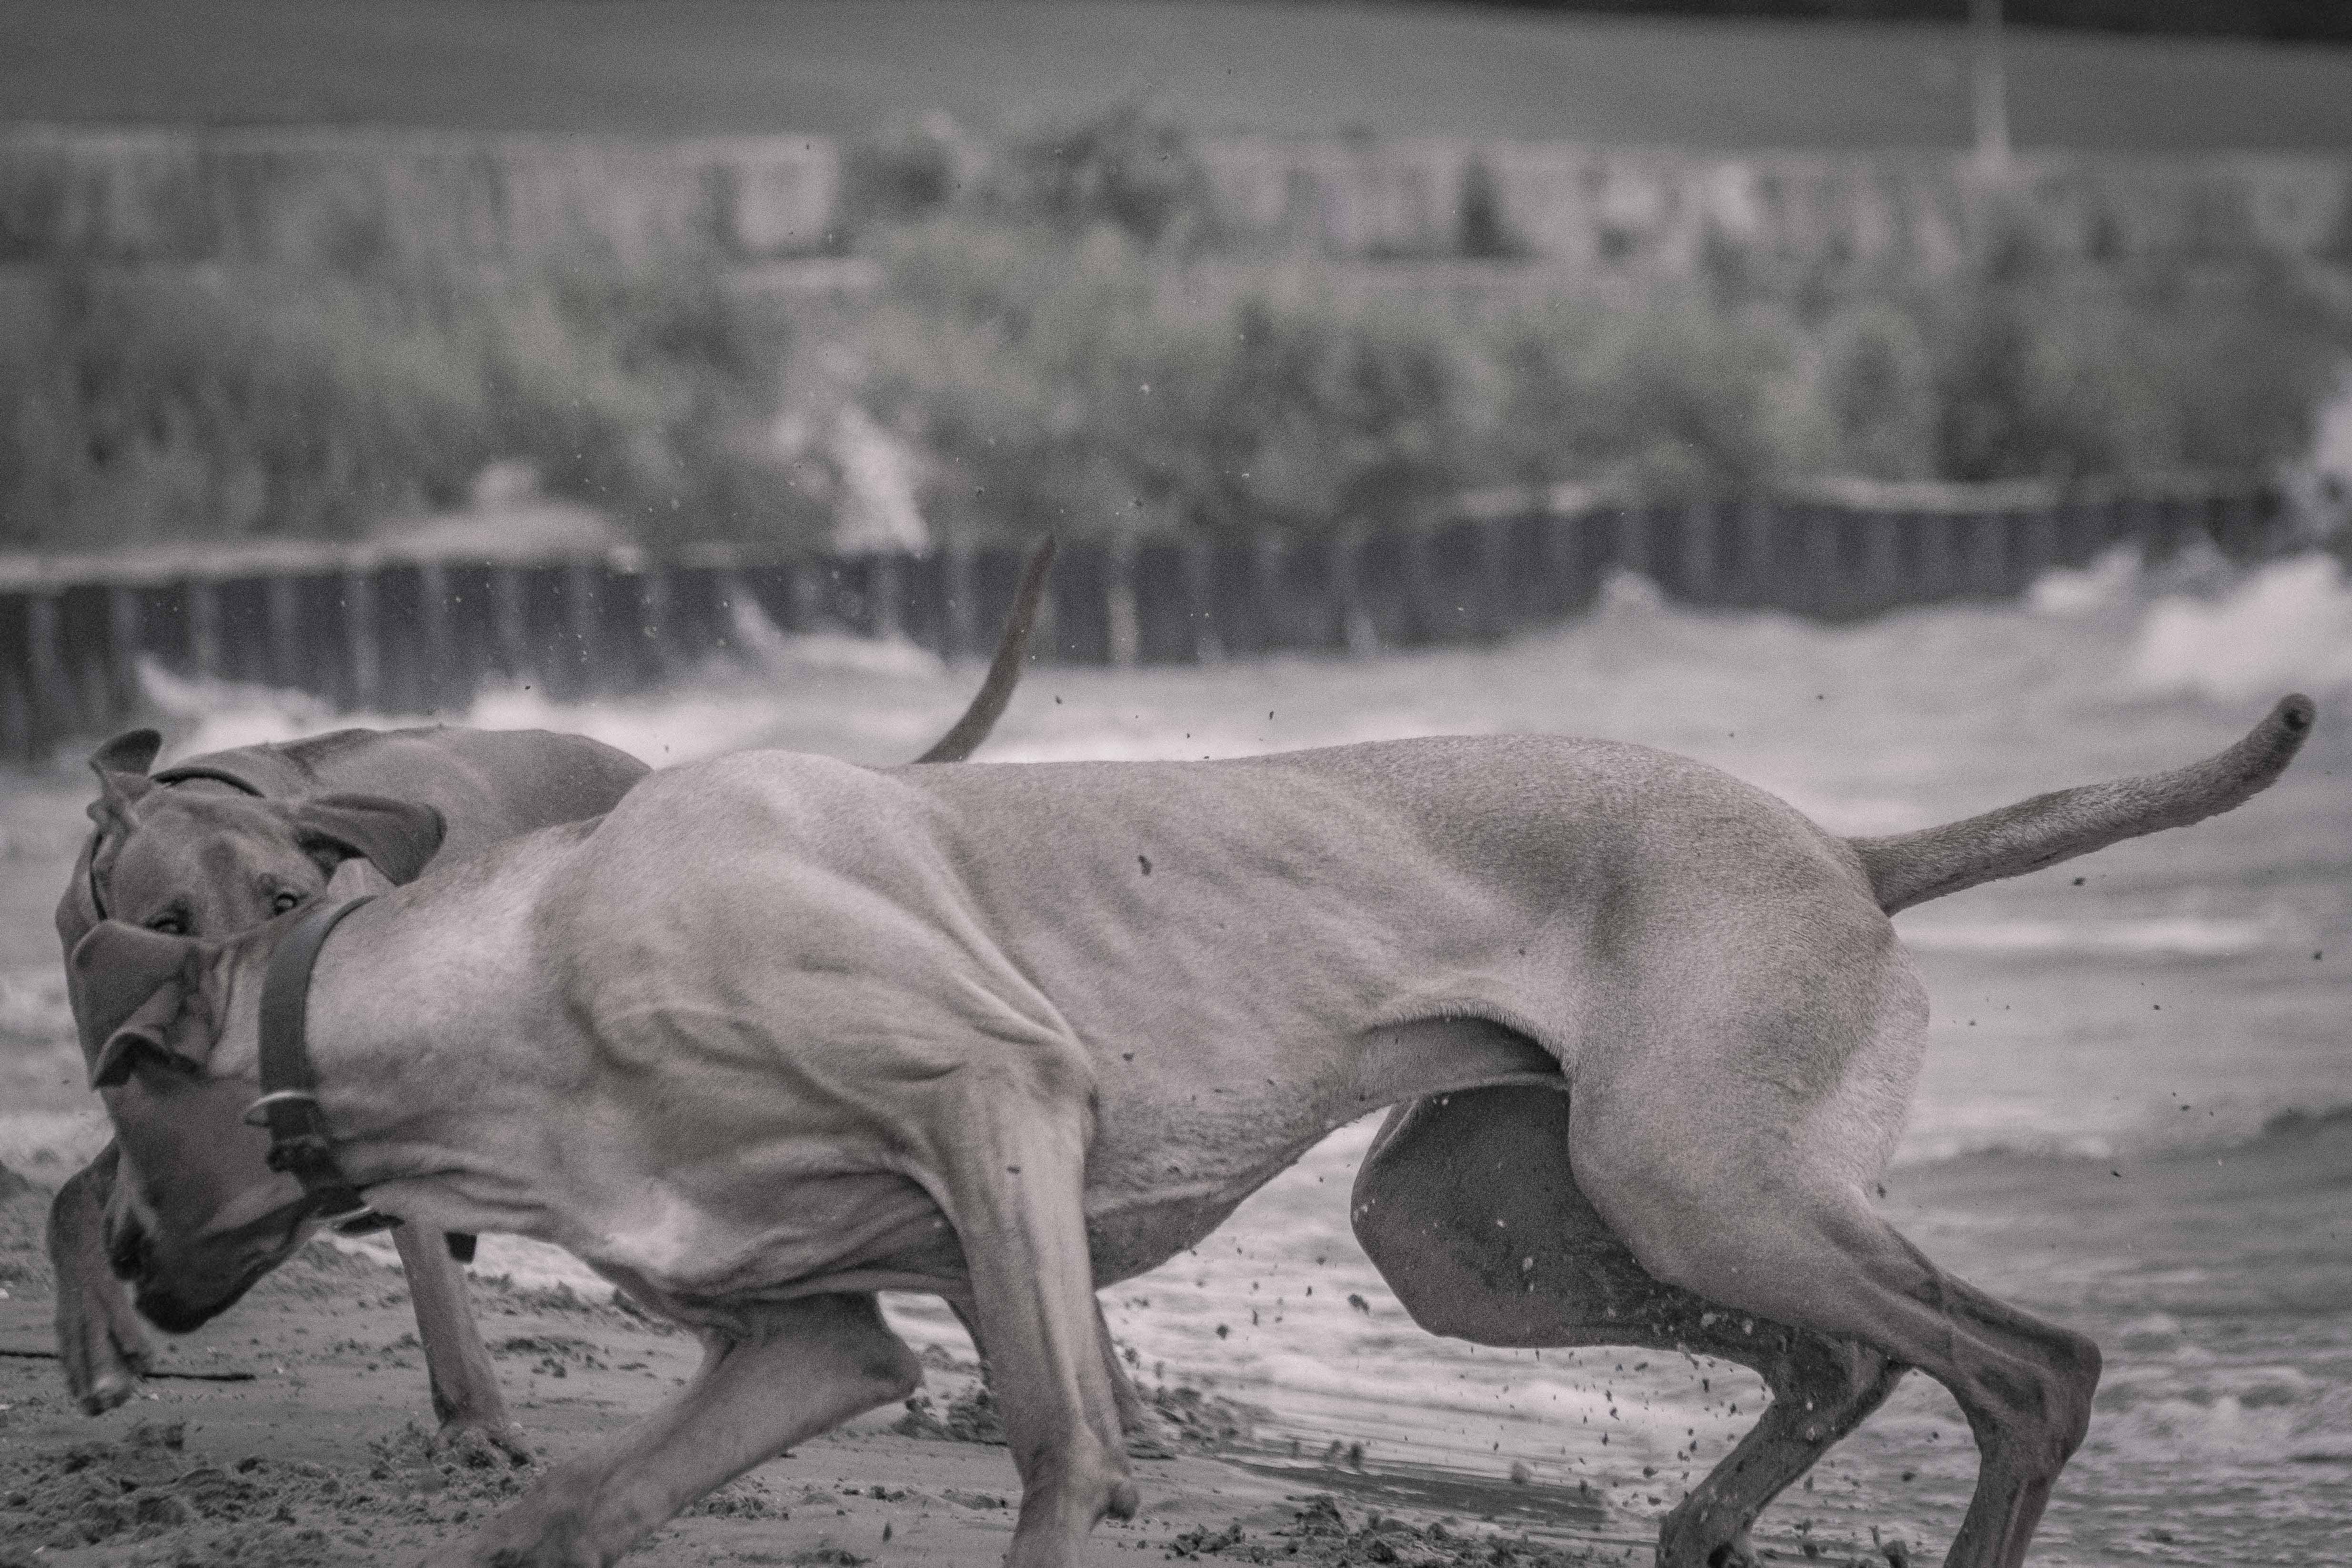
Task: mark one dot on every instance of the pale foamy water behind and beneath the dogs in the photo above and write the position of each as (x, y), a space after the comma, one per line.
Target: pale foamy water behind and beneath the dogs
(2134, 1113)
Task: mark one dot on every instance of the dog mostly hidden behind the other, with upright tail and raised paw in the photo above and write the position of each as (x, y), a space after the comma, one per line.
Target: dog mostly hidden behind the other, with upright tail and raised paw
(222, 843)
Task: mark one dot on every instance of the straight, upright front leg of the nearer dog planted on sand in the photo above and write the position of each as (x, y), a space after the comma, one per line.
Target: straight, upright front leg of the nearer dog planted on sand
(1015, 1191)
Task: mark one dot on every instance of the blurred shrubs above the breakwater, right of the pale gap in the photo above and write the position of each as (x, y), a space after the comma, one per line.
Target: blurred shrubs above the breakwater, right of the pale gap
(1083, 382)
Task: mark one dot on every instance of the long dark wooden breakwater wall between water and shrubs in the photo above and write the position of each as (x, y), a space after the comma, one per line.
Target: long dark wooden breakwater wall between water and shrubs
(373, 631)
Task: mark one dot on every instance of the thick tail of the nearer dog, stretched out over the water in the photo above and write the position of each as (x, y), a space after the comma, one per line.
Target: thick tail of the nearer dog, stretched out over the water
(1918, 866)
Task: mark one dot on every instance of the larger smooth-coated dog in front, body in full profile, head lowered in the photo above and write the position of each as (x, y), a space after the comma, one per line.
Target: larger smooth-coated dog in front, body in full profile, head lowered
(782, 1033)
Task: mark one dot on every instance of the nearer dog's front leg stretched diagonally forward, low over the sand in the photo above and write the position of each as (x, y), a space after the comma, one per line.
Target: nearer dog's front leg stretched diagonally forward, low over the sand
(822, 1360)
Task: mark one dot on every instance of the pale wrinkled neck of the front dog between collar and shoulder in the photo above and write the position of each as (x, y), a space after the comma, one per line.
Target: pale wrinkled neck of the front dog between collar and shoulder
(441, 1052)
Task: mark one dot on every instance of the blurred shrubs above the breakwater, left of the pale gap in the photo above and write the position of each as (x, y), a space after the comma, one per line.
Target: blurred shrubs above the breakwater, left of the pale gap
(145, 406)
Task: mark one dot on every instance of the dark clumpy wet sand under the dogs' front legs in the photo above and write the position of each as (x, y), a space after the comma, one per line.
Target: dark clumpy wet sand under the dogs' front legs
(290, 1435)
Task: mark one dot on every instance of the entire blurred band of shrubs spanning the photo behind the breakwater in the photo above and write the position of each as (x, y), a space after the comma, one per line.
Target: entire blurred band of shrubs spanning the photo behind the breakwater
(1064, 340)
